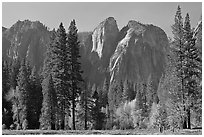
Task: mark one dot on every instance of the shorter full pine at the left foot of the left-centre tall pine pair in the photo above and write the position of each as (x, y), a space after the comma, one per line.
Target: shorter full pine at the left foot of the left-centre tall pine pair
(49, 105)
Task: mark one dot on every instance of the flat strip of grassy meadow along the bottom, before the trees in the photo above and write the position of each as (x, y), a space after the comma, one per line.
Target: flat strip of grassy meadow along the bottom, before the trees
(101, 132)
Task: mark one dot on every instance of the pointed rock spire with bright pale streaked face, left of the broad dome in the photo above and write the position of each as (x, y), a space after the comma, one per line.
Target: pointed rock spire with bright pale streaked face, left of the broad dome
(99, 47)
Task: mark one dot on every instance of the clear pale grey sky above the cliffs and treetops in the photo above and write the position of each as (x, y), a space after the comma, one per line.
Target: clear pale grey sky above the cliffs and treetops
(89, 15)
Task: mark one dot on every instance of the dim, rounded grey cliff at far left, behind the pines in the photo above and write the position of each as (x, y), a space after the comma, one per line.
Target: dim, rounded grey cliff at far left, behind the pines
(26, 39)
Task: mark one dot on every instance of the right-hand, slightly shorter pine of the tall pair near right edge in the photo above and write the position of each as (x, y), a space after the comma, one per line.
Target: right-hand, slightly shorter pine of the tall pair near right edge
(191, 68)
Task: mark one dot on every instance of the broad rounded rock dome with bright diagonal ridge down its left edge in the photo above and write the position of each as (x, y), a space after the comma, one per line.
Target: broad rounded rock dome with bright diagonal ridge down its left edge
(140, 52)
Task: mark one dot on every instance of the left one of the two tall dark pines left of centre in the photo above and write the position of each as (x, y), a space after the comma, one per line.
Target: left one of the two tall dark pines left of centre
(61, 73)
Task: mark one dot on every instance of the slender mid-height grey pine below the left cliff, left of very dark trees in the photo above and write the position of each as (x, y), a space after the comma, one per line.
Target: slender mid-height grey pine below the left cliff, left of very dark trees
(24, 89)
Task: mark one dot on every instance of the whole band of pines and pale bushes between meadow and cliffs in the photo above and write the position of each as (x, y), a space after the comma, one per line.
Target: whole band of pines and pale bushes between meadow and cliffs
(59, 98)
